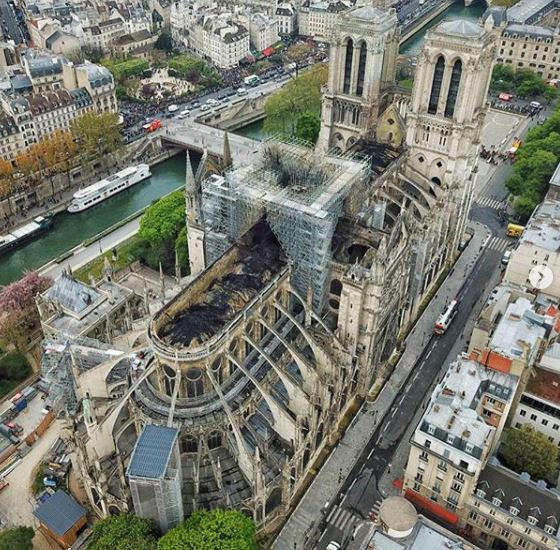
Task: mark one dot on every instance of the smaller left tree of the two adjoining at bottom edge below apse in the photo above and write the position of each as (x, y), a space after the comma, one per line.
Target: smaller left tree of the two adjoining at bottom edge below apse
(123, 532)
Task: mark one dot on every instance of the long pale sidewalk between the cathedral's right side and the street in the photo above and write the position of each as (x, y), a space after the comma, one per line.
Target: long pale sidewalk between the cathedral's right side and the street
(325, 486)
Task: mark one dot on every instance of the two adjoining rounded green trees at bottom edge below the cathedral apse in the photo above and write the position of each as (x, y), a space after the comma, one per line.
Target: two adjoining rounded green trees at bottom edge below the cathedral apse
(203, 530)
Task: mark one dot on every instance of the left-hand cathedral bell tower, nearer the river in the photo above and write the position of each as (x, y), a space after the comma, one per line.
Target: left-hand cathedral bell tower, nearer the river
(362, 72)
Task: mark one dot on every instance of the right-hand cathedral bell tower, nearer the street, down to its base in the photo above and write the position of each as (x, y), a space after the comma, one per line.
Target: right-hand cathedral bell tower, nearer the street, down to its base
(446, 116)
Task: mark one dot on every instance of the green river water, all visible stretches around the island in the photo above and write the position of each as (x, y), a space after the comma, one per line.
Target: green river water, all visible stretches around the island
(72, 229)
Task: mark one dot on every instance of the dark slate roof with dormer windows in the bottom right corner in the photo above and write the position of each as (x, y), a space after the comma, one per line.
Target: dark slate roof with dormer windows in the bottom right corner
(518, 491)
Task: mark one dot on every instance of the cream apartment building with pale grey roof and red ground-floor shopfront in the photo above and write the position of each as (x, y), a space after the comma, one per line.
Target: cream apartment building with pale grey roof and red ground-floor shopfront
(463, 421)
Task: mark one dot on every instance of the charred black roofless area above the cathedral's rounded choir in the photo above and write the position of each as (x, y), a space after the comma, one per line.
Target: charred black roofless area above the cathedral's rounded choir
(196, 316)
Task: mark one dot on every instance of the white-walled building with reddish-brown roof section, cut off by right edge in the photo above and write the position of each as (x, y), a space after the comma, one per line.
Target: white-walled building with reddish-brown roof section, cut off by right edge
(539, 404)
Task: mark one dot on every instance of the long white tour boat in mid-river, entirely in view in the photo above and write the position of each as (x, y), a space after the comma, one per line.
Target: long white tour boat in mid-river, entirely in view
(105, 188)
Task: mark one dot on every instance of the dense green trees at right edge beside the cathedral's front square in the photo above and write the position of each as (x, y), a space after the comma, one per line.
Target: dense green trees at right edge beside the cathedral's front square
(535, 163)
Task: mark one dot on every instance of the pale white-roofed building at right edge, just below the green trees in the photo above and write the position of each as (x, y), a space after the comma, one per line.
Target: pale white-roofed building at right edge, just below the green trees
(539, 246)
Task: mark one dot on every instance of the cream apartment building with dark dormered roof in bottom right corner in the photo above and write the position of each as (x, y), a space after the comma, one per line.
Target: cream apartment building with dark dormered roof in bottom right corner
(509, 510)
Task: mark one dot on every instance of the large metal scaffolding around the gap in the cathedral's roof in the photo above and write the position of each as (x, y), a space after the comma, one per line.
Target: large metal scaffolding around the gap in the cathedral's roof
(300, 192)
